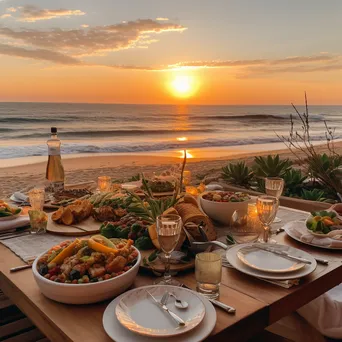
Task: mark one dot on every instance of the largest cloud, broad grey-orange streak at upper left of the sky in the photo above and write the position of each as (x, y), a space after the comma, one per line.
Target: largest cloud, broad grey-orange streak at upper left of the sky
(94, 40)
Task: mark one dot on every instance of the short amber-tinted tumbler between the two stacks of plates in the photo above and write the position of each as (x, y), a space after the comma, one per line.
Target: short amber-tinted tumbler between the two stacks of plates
(208, 272)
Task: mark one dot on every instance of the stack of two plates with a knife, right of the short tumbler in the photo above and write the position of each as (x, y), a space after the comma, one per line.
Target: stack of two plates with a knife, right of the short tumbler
(255, 260)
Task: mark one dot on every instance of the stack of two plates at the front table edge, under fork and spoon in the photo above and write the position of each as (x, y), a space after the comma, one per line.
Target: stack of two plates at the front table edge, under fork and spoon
(134, 316)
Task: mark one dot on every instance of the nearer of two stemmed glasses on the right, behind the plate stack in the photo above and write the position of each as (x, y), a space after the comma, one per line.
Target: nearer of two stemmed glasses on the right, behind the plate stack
(267, 207)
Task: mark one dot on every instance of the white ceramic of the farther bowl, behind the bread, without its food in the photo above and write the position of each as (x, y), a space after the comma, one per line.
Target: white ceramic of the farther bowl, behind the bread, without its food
(222, 211)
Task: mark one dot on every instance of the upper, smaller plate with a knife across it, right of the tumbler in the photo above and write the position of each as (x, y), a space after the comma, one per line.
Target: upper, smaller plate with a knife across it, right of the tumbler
(262, 260)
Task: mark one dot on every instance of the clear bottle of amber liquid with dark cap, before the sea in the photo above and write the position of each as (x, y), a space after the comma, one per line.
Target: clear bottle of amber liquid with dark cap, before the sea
(55, 169)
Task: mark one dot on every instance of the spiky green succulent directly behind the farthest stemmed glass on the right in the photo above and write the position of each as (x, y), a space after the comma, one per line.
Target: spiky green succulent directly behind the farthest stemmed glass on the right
(271, 166)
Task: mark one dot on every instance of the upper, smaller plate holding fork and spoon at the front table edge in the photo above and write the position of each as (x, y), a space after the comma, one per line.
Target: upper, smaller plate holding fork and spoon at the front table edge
(132, 308)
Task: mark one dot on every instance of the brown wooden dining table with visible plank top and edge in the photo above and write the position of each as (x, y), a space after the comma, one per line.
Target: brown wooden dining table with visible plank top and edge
(258, 303)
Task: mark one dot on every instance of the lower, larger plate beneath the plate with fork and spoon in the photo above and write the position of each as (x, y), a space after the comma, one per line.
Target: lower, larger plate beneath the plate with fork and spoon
(118, 333)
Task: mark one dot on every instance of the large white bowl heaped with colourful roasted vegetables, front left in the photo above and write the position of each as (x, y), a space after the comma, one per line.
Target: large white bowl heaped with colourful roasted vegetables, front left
(87, 271)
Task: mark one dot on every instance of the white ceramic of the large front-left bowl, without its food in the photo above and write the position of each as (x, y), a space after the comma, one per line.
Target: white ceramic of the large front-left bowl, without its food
(85, 293)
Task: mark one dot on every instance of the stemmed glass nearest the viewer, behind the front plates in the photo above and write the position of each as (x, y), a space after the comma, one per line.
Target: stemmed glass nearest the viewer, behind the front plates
(168, 231)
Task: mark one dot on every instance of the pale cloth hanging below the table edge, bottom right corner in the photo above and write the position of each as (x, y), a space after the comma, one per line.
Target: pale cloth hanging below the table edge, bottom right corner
(325, 313)
